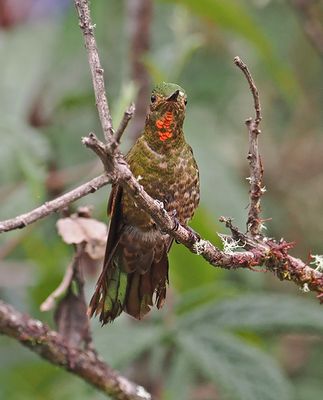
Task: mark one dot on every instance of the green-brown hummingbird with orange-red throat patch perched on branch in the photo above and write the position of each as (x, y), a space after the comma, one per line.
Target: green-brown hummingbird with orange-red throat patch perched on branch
(135, 268)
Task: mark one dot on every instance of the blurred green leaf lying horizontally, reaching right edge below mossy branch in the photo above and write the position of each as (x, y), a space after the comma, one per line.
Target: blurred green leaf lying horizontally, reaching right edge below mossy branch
(262, 313)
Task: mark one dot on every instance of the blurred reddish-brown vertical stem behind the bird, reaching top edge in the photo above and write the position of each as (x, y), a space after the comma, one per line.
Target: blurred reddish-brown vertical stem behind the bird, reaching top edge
(139, 21)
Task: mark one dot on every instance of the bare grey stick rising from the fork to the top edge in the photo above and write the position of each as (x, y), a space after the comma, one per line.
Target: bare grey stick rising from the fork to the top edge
(97, 71)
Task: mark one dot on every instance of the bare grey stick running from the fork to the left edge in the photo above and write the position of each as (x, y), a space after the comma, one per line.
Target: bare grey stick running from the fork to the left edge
(54, 205)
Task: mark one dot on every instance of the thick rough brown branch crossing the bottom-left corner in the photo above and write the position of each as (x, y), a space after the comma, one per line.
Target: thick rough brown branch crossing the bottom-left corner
(51, 346)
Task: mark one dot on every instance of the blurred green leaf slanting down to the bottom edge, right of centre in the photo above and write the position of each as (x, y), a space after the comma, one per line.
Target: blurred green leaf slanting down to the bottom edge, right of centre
(240, 371)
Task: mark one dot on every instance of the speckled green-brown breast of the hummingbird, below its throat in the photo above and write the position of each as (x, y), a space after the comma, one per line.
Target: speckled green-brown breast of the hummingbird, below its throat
(172, 179)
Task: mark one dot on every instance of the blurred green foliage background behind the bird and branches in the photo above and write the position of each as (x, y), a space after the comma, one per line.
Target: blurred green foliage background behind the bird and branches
(222, 335)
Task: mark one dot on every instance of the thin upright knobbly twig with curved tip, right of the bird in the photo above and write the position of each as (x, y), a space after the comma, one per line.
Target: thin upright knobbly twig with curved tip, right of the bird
(255, 165)
